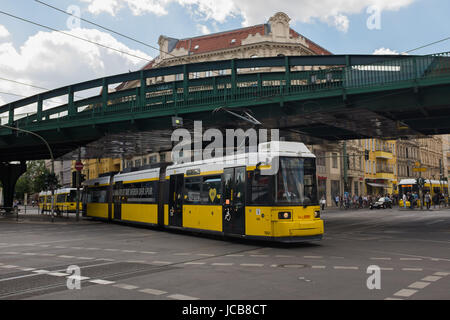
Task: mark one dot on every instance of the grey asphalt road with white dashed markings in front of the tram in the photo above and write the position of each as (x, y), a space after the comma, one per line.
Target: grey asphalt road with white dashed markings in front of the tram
(411, 249)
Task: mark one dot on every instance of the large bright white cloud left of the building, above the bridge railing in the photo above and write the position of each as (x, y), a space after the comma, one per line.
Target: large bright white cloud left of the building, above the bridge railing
(52, 60)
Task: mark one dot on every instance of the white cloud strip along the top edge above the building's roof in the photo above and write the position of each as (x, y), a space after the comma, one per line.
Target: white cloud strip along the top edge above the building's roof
(333, 12)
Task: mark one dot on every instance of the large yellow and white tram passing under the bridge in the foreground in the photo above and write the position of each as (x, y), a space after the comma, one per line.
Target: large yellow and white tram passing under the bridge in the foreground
(239, 196)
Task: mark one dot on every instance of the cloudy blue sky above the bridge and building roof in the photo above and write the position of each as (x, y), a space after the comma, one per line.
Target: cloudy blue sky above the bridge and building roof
(47, 59)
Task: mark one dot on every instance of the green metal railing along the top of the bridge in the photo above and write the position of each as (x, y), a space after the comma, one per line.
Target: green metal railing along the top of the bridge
(244, 80)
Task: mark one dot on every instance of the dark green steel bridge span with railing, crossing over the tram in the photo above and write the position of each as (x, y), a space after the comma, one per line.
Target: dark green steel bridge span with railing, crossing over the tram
(411, 89)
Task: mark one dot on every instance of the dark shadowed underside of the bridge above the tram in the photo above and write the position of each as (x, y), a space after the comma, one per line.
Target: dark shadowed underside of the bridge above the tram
(388, 115)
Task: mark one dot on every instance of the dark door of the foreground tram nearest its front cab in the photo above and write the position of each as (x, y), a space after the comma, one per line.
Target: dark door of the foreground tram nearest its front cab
(234, 201)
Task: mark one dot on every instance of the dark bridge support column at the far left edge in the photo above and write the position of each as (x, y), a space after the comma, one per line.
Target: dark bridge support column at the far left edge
(9, 174)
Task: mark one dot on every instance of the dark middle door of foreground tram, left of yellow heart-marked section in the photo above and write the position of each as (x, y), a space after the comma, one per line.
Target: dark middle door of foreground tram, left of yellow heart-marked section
(176, 200)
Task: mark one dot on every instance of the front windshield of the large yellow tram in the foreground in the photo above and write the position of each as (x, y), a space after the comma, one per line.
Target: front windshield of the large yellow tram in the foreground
(296, 182)
